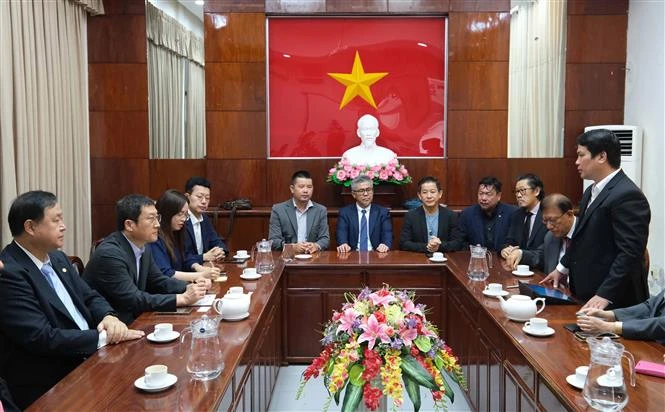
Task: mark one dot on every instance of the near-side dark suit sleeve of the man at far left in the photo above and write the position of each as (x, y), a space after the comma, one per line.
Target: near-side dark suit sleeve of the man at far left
(22, 320)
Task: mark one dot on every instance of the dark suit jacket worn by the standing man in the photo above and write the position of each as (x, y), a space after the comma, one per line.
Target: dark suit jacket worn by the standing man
(605, 256)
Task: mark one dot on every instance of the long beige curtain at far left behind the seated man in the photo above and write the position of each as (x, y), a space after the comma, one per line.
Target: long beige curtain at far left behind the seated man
(44, 109)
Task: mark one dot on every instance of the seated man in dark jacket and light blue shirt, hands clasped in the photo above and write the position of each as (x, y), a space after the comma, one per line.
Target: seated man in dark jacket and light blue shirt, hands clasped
(432, 227)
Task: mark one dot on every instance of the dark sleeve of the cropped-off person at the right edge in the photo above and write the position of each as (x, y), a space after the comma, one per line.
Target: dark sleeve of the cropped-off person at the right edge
(646, 320)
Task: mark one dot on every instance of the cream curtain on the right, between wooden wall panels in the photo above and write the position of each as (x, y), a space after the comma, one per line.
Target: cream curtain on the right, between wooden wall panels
(536, 79)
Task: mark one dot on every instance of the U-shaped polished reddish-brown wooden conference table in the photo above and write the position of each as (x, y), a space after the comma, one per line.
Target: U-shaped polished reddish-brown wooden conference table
(505, 368)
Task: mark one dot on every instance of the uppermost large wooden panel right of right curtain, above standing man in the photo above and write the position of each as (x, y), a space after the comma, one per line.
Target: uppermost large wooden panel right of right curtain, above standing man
(597, 39)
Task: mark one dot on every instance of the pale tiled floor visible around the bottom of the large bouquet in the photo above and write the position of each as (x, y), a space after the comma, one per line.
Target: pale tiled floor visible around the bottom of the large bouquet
(314, 395)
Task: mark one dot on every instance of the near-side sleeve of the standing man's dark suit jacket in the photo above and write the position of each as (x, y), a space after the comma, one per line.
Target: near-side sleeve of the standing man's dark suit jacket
(630, 217)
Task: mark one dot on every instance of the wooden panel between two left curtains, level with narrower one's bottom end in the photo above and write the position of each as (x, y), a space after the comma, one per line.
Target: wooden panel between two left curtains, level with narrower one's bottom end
(119, 134)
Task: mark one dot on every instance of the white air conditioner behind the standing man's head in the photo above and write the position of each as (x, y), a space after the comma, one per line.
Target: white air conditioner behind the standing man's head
(630, 138)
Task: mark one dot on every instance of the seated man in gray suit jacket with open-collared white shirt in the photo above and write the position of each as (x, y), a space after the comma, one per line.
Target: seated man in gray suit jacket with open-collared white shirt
(299, 220)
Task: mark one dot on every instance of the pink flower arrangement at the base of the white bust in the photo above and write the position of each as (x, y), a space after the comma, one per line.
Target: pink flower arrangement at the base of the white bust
(344, 172)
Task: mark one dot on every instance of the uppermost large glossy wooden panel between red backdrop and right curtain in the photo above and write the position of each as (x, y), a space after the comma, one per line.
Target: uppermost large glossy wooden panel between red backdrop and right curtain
(478, 36)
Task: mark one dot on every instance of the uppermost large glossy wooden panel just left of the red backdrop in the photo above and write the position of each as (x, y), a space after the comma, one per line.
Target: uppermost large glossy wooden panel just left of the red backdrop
(235, 37)
